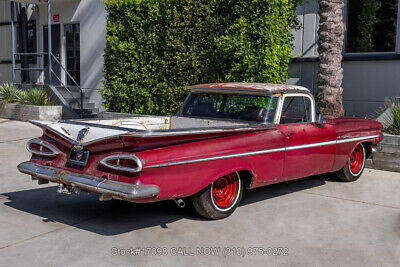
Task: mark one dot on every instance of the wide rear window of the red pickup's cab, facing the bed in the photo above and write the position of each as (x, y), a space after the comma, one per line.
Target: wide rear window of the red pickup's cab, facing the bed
(234, 107)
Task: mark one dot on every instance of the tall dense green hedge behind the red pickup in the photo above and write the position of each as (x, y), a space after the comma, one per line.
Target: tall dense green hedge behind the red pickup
(157, 47)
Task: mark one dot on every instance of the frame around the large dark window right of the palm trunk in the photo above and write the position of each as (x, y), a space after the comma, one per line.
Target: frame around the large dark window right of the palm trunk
(345, 28)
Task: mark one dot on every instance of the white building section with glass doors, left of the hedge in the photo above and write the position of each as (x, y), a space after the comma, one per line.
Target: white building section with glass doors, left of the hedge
(78, 41)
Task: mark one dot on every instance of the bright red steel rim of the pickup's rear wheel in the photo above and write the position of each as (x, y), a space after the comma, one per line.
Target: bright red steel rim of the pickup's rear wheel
(224, 191)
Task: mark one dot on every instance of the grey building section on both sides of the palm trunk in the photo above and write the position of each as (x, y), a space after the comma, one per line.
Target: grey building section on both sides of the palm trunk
(371, 56)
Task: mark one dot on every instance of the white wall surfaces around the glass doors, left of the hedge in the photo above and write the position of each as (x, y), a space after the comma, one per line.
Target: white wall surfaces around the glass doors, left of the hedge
(91, 16)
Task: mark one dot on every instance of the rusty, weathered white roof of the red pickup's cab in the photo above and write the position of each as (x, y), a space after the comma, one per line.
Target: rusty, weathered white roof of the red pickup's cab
(255, 88)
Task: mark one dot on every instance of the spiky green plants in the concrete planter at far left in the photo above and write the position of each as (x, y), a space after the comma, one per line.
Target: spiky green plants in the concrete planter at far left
(30, 96)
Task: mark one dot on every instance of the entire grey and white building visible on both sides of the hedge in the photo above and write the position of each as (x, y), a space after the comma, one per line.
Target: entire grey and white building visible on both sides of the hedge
(371, 51)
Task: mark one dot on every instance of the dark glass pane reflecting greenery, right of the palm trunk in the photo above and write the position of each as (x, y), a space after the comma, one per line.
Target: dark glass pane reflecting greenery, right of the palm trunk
(372, 26)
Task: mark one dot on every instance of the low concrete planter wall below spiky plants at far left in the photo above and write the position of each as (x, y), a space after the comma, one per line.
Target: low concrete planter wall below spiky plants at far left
(28, 112)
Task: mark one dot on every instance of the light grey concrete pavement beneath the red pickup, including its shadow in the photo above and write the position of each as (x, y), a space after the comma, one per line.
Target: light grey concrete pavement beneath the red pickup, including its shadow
(315, 221)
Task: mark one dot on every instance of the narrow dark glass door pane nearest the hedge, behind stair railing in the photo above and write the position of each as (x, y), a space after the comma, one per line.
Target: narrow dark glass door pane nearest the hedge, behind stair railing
(72, 57)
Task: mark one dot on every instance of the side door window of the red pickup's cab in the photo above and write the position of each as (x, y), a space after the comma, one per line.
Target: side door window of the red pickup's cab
(296, 109)
